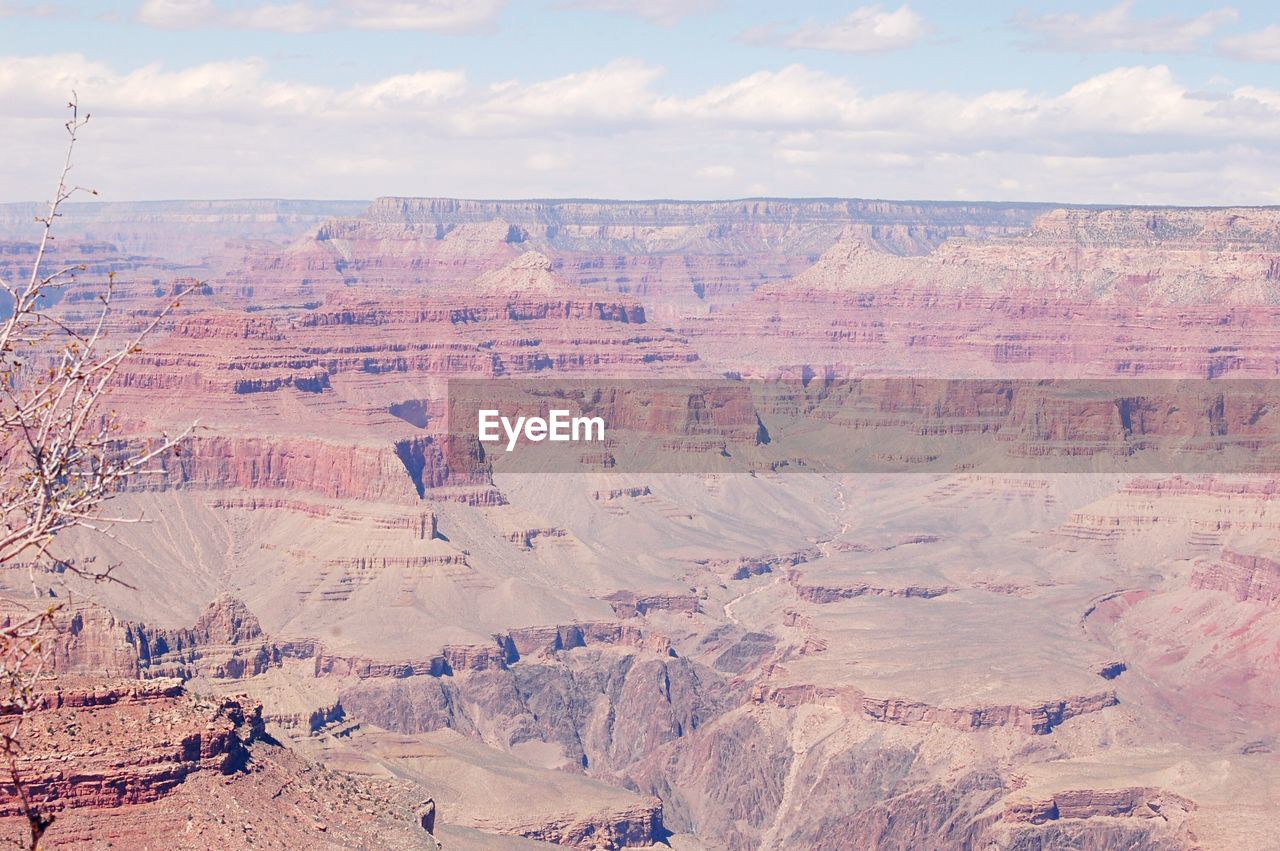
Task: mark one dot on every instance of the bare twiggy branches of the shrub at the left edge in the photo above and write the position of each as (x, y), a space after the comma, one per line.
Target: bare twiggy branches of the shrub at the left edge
(61, 456)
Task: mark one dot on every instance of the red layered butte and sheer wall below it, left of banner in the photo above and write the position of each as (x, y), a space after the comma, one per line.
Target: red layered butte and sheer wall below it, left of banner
(267, 387)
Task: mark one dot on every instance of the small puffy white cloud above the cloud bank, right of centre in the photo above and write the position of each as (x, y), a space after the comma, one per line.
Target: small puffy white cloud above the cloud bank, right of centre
(867, 30)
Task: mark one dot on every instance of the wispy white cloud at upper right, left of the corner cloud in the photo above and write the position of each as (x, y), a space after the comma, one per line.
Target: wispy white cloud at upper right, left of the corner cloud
(1117, 30)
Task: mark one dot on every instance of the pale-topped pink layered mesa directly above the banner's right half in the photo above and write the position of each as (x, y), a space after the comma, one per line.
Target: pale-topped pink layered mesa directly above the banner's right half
(858, 330)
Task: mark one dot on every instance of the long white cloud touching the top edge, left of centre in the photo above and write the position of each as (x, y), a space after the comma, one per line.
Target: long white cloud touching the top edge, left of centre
(436, 16)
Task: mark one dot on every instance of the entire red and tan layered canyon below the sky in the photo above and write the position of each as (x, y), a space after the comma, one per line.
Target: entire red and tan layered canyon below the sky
(348, 625)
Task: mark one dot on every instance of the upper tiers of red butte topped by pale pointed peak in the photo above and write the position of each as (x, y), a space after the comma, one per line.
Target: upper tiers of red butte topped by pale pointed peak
(516, 319)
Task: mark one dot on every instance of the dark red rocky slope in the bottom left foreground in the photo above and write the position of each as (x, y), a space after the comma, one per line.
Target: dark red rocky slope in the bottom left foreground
(112, 762)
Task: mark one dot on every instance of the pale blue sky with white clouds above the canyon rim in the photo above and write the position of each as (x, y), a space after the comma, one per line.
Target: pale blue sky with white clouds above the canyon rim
(1140, 102)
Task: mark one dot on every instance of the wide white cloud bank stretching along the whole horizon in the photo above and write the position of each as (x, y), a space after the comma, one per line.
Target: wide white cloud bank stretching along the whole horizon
(237, 129)
